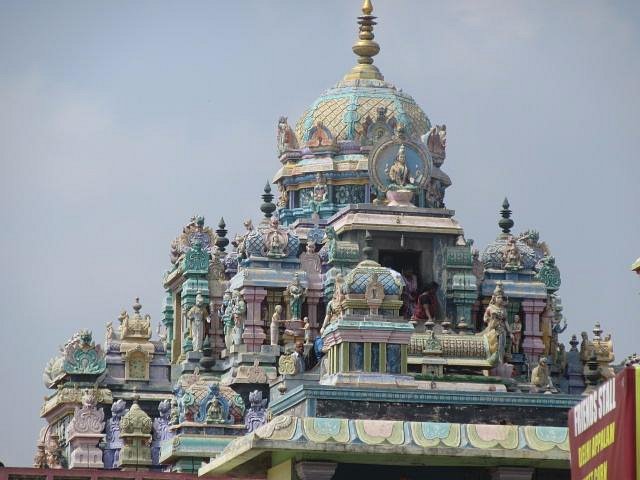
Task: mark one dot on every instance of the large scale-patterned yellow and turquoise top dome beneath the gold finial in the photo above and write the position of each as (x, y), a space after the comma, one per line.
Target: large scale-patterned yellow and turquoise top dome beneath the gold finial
(349, 108)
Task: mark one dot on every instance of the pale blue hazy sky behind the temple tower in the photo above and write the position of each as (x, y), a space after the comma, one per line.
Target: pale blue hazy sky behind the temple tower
(119, 120)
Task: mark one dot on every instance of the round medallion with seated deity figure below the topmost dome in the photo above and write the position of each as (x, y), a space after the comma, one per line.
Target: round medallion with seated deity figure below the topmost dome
(399, 164)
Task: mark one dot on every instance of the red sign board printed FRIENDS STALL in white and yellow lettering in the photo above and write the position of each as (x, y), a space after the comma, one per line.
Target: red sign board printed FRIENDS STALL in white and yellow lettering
(602, 431)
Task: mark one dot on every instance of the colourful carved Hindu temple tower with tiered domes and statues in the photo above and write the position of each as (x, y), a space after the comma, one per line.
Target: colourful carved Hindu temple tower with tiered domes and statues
(352, 327)
